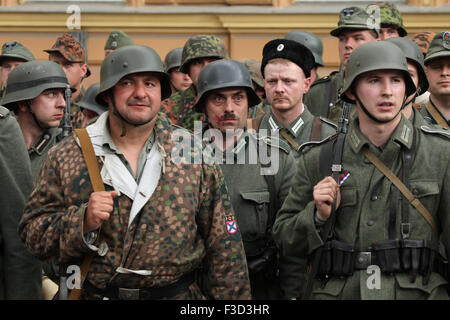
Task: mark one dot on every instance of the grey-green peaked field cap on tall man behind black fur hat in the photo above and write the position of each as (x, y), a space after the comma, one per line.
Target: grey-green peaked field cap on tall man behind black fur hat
(357, 19)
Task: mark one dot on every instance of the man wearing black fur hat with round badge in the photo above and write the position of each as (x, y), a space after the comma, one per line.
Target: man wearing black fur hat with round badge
(286, 68)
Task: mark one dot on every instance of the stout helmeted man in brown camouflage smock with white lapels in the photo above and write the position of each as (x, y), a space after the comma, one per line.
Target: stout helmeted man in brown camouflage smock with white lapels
(162, 216)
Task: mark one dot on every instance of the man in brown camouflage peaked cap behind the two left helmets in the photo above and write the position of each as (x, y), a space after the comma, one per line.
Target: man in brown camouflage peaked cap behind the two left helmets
(69, 54)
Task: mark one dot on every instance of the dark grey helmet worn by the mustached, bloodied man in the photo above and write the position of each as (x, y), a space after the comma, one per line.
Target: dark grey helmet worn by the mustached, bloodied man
(224, 74)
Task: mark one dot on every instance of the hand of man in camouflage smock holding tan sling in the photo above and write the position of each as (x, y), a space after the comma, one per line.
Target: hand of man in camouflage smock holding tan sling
(99, 208)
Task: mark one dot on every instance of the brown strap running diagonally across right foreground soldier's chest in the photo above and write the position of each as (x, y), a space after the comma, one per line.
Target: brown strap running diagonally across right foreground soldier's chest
(400, 186)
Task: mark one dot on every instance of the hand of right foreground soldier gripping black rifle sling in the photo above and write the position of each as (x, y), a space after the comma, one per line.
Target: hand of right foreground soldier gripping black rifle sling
(324, 194)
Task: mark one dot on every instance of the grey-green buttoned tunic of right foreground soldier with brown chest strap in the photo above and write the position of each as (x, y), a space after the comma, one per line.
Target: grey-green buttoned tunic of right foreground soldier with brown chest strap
(362, 217)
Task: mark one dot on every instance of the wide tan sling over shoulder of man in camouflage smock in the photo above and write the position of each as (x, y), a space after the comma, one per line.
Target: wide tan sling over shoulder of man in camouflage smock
(97, 185)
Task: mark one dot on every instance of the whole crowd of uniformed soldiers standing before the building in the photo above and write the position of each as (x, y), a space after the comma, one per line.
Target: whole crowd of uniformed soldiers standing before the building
(303, 184)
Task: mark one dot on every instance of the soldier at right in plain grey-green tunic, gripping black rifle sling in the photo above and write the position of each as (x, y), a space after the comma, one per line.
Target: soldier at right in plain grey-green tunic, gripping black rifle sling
(357, 222)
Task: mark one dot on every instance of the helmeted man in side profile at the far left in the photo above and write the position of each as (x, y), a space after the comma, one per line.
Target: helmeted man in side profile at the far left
(39, 107)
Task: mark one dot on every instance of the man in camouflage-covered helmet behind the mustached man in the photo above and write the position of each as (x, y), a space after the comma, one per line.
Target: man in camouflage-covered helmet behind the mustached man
(198, 51)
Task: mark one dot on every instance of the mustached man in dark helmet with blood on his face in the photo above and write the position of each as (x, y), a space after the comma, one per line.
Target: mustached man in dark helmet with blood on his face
(257, 169)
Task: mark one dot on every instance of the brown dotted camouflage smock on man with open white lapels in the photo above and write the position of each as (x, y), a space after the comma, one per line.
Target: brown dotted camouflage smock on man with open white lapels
(180, 228)
